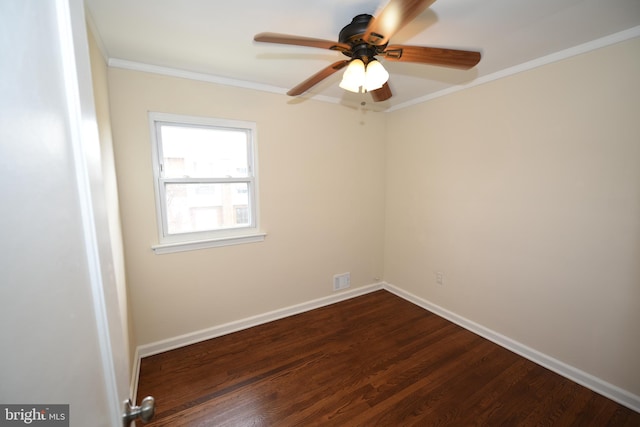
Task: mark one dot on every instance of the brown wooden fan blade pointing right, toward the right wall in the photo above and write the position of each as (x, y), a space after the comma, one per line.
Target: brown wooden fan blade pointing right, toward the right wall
(454, 58)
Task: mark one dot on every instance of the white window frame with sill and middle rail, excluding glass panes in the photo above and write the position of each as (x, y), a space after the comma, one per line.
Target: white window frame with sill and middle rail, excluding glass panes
(203, 239)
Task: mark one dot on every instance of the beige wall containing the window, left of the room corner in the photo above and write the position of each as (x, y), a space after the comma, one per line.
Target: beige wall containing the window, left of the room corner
(321, 189)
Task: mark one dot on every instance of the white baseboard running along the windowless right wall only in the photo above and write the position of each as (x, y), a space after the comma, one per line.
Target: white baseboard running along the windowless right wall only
(585, 379)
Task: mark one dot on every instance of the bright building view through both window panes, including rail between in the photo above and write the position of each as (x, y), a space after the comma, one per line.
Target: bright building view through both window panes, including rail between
(205, 171)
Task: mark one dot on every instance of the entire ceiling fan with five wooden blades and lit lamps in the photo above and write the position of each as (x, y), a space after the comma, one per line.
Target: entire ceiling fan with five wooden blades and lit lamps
(367, 37)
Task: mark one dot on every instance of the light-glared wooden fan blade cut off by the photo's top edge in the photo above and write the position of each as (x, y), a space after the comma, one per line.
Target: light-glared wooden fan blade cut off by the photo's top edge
(395, 15)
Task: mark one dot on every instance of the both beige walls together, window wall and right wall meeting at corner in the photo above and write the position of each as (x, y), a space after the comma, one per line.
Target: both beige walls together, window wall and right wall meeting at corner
(524, 192)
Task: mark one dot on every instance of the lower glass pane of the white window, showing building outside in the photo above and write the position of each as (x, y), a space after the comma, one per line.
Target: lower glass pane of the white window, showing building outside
(196, 207)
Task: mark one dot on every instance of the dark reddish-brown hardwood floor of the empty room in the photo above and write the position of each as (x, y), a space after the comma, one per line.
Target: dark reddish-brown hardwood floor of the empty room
(375, 360)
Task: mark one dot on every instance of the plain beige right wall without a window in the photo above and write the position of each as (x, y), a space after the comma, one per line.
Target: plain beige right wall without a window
(525, 193)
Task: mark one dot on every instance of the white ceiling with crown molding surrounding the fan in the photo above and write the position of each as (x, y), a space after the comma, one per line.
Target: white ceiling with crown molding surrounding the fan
(213, 39)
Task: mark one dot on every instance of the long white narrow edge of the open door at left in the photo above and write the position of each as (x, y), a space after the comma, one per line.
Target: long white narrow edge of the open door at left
(72, 28)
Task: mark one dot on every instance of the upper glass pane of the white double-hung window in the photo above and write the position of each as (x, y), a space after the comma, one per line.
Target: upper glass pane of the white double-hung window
(199, 152)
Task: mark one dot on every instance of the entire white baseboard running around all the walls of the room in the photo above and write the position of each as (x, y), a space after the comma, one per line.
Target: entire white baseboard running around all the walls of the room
(585, 379)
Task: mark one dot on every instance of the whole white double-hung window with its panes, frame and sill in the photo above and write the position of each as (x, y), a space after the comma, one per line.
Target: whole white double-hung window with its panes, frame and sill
(205, 182)
